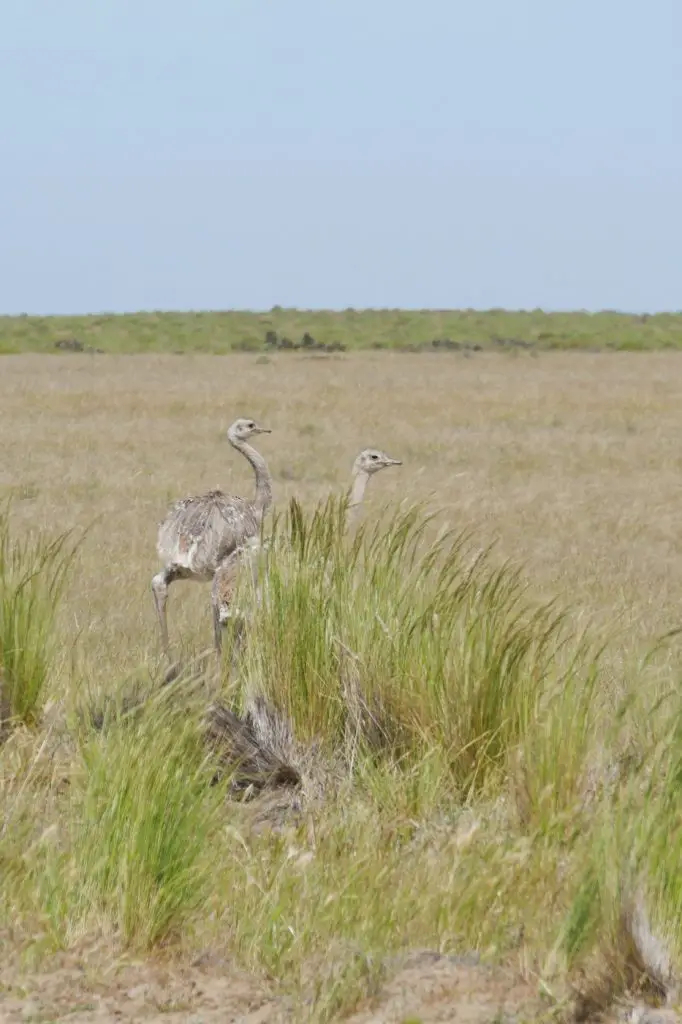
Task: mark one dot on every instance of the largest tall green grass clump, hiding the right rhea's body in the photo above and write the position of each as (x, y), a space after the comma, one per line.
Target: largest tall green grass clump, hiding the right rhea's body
(405, 647)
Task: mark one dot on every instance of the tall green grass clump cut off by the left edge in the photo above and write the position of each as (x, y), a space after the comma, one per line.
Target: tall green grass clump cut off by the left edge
(33, 575)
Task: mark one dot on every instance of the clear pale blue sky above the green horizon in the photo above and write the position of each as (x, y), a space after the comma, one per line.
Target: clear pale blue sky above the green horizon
(240, 154)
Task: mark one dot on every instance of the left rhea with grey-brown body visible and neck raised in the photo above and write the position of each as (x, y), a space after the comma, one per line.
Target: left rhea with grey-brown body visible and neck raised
(200, 533)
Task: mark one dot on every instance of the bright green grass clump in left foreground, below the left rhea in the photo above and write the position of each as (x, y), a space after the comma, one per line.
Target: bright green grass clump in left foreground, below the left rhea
(136, 855)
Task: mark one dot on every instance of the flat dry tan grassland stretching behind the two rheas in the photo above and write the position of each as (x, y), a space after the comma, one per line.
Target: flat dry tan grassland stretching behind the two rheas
(572, 462)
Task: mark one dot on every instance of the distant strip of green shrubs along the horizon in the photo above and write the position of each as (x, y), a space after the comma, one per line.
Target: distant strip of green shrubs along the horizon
(290, 330)
